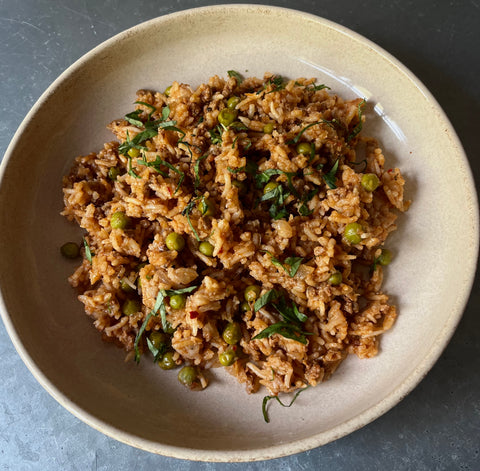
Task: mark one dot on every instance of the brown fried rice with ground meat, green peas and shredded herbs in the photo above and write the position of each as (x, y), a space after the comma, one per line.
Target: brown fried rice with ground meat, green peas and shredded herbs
(239, 225)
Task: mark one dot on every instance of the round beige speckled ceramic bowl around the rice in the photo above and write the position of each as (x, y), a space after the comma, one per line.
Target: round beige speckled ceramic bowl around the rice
(430, 279)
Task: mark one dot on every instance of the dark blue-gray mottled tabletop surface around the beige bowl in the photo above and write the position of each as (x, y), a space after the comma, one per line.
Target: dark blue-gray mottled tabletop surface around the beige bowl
(438, 425)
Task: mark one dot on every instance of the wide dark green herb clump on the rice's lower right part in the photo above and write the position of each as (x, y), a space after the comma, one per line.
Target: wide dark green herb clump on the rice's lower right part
(290, 327)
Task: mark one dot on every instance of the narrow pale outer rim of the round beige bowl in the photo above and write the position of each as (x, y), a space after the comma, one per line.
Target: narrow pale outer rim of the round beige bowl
(299, 445)
